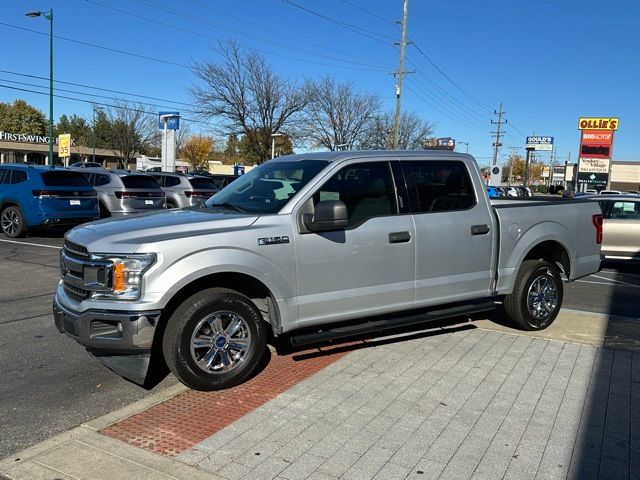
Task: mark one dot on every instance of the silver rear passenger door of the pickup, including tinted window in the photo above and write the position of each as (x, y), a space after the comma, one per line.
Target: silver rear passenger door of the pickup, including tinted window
(453, 234)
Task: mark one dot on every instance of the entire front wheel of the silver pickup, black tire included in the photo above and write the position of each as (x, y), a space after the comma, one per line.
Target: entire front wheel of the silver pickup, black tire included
(194, 319)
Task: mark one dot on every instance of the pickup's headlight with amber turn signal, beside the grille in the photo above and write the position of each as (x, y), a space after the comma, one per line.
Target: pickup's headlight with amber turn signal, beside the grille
(125, 275)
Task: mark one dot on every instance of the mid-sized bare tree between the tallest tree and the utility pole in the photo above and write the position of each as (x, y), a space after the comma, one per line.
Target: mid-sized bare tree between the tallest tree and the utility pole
(338, 116)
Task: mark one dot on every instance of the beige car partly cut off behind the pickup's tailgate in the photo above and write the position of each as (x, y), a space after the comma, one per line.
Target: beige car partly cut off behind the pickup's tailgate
(621, 229)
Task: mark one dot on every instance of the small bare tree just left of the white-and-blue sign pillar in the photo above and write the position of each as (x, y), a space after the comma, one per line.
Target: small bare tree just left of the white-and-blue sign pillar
(132, 129)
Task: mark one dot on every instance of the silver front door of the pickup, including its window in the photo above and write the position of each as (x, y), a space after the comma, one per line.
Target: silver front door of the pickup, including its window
(367, 268)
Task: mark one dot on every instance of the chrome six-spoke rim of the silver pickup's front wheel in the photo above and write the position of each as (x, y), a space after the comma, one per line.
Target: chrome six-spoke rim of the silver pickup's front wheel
(220, 342)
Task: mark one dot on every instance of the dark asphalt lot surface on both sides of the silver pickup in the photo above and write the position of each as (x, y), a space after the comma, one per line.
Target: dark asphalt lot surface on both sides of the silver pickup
(49, 383)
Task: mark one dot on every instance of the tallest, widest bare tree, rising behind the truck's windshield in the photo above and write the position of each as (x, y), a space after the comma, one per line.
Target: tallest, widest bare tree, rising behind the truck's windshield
(248, 96)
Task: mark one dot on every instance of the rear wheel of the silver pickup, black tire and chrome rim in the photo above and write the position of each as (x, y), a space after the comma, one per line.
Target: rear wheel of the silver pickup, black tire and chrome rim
(535, 307)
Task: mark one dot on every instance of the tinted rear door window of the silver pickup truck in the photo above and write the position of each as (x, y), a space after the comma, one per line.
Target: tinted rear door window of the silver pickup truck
(440, 186)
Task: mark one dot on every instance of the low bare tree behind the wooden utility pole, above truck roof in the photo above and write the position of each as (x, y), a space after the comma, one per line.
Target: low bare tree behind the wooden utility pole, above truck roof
(413, 130)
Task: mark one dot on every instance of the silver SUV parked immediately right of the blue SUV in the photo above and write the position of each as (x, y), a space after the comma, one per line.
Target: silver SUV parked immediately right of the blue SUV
(121, 192)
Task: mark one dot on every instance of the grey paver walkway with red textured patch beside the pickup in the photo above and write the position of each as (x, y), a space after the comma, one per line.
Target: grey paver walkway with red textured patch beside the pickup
(465, 404)
